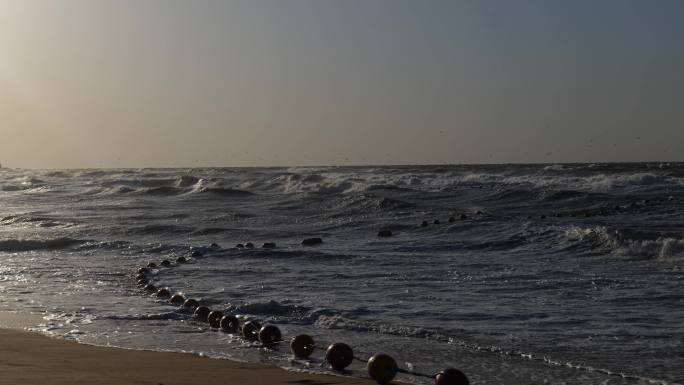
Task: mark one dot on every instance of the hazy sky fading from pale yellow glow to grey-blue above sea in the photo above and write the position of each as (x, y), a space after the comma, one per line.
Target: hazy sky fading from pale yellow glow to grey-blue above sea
(87, 83)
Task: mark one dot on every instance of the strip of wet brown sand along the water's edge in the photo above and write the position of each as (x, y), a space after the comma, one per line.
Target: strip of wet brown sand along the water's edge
(31, 358)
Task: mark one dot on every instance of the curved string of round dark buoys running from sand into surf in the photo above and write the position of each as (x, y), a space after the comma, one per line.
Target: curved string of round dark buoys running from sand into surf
(381, 367)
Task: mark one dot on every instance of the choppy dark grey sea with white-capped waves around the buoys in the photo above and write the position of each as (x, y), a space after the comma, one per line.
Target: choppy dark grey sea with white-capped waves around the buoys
(591, 293)
